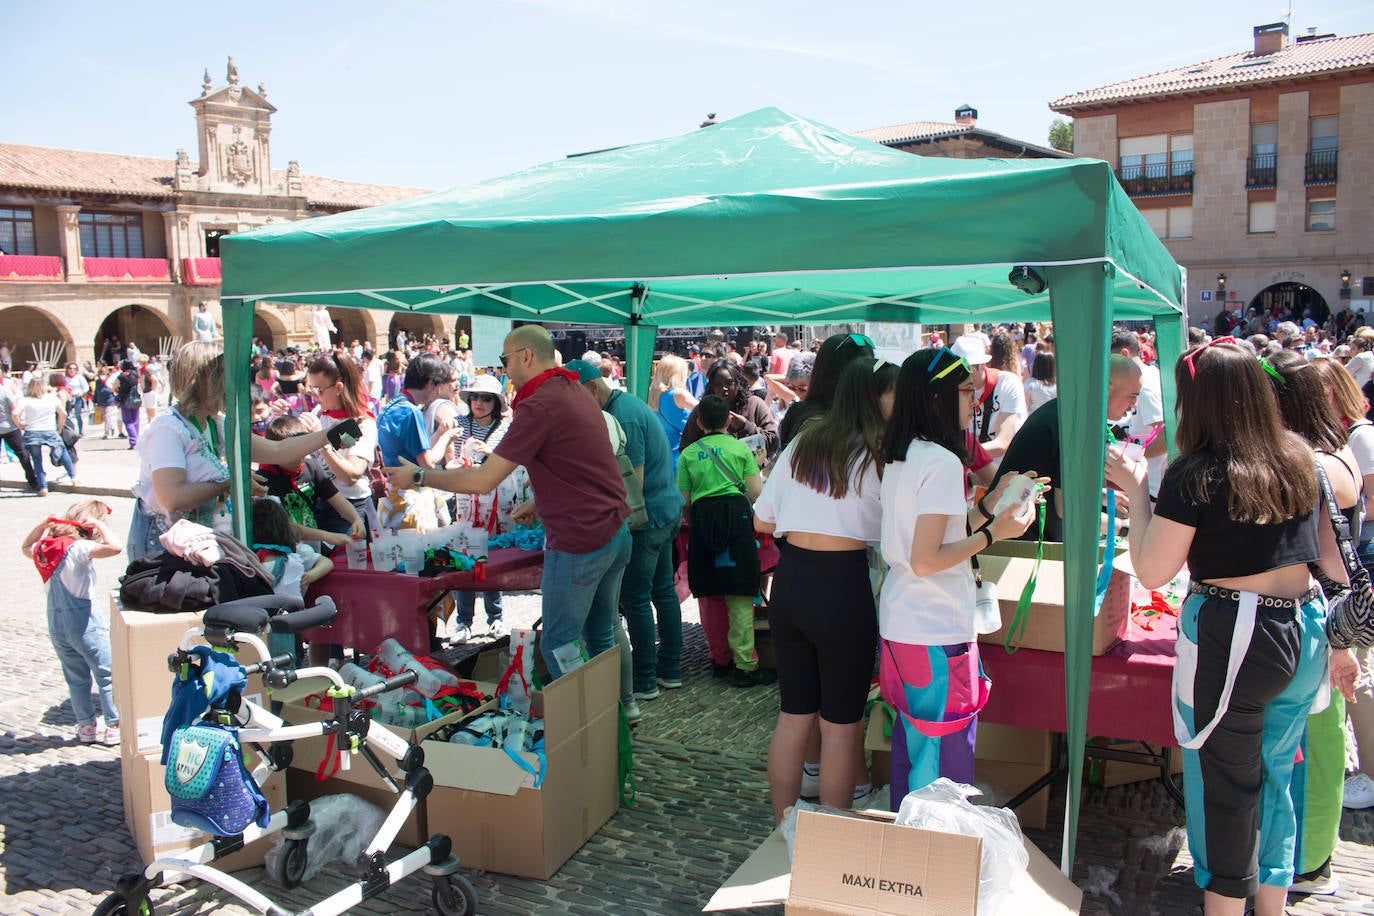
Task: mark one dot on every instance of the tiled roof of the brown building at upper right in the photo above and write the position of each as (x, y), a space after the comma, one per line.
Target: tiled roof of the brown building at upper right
(1296, 60)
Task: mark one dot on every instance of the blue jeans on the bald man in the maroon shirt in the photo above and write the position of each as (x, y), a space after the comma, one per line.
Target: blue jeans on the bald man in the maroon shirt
(581, 594)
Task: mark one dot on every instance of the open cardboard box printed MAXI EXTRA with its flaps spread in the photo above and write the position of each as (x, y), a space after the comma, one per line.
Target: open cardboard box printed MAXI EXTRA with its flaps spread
(865, 865)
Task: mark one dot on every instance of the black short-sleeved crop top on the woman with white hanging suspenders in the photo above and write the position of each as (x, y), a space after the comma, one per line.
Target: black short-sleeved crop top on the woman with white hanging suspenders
(1224, 549)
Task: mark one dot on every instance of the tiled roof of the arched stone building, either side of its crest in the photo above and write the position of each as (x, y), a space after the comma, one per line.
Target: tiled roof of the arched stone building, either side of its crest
(75, 171)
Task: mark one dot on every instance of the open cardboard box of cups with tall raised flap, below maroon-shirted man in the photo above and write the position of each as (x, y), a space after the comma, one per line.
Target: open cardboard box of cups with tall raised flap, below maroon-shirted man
(490, 807)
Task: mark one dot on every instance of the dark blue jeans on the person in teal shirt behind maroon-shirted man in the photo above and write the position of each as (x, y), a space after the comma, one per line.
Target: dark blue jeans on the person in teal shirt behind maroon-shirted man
(649, 587)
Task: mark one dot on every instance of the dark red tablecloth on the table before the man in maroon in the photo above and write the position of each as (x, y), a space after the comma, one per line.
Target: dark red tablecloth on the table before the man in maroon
(376, 606)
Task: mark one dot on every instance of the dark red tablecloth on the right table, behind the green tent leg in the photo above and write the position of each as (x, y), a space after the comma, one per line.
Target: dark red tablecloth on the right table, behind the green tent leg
(1130, 694)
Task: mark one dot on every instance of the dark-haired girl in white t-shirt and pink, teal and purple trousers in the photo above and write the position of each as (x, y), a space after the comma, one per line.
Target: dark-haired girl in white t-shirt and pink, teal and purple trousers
(928, 654)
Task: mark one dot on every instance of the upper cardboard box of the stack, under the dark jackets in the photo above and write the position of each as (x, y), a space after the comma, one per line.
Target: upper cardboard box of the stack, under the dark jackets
(141, 680)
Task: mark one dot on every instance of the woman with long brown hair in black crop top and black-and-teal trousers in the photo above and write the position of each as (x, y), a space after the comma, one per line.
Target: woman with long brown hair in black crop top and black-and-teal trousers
(1240, 506)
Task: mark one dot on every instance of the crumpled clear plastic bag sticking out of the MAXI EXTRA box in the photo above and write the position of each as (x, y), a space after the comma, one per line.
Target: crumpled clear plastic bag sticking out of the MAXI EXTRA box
(945, 807)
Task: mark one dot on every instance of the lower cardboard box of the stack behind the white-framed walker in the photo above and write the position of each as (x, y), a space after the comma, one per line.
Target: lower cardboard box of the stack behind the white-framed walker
(148, 812)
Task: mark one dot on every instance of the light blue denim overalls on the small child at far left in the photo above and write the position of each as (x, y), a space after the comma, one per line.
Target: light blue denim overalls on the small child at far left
(82, 642)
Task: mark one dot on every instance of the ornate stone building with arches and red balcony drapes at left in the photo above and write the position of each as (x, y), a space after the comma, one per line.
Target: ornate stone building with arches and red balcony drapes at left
(101, 244)
